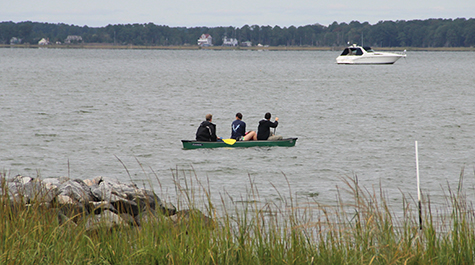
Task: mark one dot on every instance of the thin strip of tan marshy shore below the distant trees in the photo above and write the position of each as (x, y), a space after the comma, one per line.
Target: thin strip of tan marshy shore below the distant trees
(253, 48)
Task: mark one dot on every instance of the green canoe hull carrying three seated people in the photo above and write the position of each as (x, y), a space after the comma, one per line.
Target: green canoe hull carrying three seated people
(189, 144)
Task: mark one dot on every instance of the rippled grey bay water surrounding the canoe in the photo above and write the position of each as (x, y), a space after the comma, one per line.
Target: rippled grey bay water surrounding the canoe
(77, 112)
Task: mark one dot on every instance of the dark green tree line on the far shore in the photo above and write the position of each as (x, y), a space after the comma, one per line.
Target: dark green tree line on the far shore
(458, 32)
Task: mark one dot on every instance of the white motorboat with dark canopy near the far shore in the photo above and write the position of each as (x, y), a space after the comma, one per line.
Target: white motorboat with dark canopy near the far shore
(365, 55)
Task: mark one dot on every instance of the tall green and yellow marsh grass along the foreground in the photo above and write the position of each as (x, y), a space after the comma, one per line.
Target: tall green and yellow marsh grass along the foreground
(365, 231)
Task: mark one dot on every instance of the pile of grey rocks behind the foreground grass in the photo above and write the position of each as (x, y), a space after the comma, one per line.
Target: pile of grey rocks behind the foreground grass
(99, 202)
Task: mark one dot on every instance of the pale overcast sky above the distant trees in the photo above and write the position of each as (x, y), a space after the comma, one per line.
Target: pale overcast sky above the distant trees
(212, 13)
